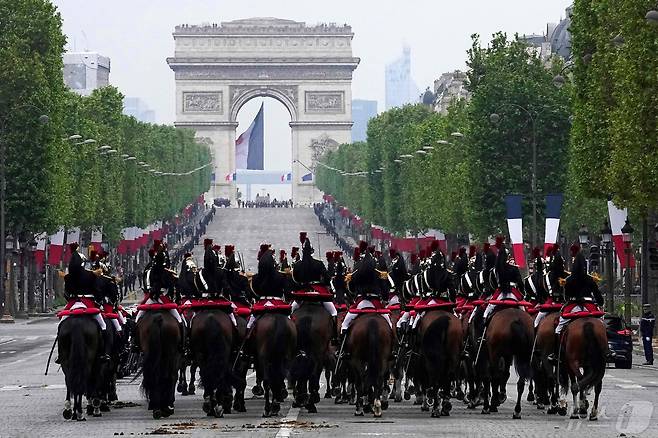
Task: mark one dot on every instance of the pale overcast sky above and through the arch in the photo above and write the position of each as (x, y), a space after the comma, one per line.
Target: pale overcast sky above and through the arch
(136, 35)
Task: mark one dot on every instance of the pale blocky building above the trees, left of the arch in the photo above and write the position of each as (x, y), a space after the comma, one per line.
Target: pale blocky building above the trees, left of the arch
(86, 71)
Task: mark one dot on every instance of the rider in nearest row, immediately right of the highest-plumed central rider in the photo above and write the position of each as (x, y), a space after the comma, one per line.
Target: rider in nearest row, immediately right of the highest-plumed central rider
(364, 283)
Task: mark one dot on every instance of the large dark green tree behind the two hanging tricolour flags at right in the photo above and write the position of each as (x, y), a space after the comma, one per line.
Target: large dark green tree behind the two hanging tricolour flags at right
(510, 81)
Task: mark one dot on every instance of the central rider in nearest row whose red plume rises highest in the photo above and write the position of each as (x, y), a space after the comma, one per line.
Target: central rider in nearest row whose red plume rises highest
(311, 276)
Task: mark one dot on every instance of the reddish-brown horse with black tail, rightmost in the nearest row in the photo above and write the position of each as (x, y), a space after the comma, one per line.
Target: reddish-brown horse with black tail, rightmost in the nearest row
(585, 346)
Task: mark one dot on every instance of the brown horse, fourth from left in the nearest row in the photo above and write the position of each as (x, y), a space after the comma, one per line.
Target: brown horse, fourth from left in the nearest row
(274, 339)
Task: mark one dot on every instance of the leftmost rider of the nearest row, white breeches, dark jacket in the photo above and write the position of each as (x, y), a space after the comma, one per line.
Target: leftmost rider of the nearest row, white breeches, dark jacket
(81, 292)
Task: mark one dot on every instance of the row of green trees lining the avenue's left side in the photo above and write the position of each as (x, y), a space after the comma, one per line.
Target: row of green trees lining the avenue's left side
(52, 181)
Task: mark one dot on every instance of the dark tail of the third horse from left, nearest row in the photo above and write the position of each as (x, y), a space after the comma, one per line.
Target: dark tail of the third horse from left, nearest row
(213, 370)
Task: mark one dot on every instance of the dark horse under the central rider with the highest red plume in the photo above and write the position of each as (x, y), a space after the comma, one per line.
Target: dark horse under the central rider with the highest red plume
(314, 331)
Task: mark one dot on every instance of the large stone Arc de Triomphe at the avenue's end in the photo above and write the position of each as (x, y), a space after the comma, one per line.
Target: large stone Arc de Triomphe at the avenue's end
(218, 68)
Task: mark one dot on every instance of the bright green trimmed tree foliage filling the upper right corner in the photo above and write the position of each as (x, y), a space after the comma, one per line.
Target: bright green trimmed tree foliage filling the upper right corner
(614, 145)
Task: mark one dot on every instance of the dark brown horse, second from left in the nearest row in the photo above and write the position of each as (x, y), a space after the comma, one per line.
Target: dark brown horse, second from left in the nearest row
(160, 338)
